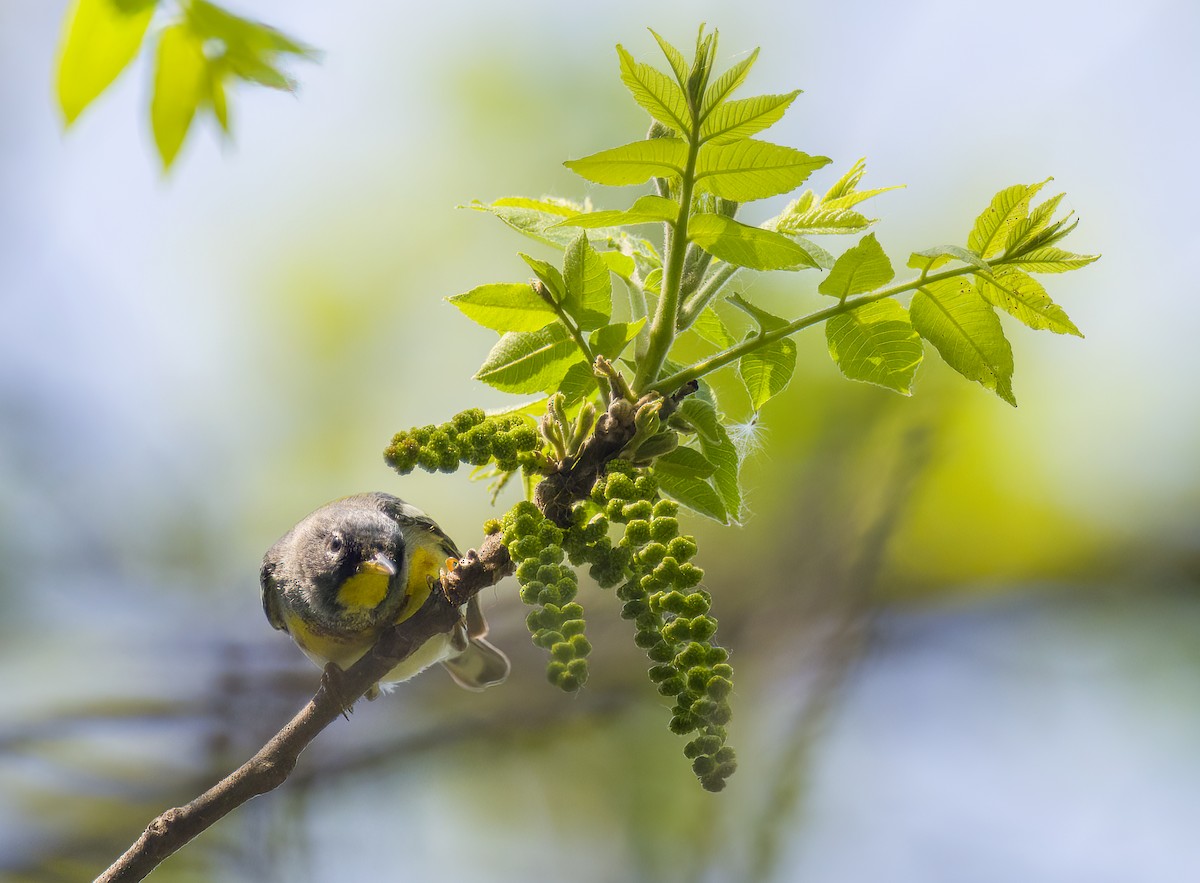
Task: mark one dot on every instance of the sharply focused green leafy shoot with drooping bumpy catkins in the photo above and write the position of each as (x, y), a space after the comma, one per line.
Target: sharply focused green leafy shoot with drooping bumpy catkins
(631, 431)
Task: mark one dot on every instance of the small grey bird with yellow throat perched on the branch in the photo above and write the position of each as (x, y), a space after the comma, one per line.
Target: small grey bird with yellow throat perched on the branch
(364, 563)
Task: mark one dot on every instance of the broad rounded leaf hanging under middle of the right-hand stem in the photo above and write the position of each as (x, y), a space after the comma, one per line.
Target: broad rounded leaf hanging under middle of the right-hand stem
(877, 344)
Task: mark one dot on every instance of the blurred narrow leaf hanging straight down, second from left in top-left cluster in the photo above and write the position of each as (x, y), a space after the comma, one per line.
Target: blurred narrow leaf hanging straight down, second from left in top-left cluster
(181, 86)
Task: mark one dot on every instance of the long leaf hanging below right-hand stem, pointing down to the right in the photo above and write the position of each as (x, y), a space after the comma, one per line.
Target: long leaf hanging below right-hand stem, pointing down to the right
(967, 332)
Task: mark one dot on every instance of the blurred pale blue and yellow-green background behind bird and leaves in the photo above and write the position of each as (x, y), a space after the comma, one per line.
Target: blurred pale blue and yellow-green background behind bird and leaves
(968, 638)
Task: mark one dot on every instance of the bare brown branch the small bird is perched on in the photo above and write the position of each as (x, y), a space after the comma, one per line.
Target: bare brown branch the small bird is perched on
(339, 690)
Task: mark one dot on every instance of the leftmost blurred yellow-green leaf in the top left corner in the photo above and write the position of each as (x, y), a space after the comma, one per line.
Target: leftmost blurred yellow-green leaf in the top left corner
(100, 39)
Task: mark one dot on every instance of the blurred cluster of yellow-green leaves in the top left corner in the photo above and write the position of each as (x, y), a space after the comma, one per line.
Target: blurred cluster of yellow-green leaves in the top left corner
(201, 51)
